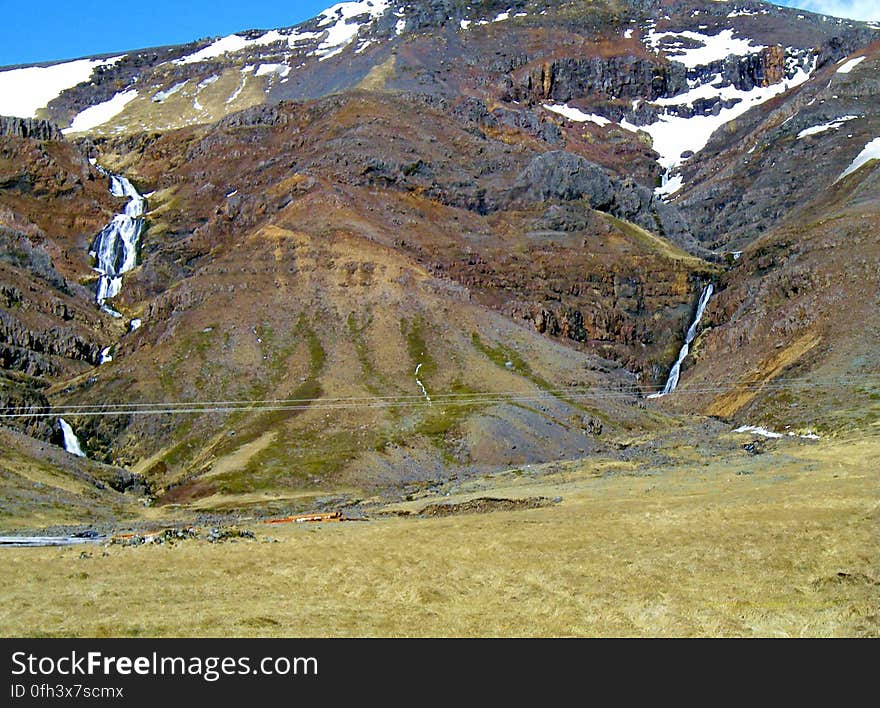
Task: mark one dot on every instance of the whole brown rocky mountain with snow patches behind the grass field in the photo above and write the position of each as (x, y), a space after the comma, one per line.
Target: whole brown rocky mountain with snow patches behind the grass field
(399, 243)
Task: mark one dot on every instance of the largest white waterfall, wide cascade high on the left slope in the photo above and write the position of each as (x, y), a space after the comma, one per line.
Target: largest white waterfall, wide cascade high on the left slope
(115, 248)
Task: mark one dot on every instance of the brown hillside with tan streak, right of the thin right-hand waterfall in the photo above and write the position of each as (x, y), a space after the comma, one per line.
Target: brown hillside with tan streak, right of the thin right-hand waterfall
(787, 314)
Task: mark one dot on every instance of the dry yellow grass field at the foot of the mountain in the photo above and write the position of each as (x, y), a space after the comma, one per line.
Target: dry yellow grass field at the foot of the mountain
(779, 544)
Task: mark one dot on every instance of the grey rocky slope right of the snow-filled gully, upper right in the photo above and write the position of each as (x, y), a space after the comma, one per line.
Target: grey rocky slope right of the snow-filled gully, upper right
(762, 156)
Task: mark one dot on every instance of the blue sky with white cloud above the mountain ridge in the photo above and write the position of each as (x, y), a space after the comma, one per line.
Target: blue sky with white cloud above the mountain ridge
(63, 29)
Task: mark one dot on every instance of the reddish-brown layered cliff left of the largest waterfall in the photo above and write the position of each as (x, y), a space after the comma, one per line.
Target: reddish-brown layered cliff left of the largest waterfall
(50, 202)
